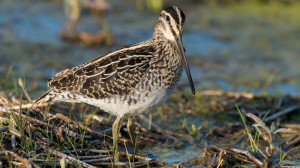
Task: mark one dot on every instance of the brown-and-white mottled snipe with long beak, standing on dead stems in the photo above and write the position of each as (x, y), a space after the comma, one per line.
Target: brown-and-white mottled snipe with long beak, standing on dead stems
(132, 80)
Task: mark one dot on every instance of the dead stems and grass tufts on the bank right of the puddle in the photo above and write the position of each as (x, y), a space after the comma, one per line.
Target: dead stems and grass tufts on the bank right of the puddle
(271, 141)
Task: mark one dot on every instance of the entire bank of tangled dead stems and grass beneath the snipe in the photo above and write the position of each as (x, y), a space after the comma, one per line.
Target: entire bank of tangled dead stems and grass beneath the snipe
(56, 135)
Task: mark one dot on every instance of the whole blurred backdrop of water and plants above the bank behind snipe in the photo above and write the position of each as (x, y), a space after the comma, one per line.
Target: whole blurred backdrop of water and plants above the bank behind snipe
(232, 45)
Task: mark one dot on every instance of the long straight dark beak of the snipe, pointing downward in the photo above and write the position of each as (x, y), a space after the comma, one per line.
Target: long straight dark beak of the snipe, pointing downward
(185, 64)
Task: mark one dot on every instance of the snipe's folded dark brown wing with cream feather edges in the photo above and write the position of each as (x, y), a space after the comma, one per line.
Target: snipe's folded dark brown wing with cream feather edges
(114, 73)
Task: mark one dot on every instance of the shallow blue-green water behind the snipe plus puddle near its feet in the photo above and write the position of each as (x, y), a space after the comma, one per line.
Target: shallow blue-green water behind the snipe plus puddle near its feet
(232, 49)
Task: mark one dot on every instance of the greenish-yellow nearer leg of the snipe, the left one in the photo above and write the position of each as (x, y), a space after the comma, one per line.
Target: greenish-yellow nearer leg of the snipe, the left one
(115, 132)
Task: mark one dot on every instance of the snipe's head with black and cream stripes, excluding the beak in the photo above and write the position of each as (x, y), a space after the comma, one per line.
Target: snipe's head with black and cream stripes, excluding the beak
(170, 22)
